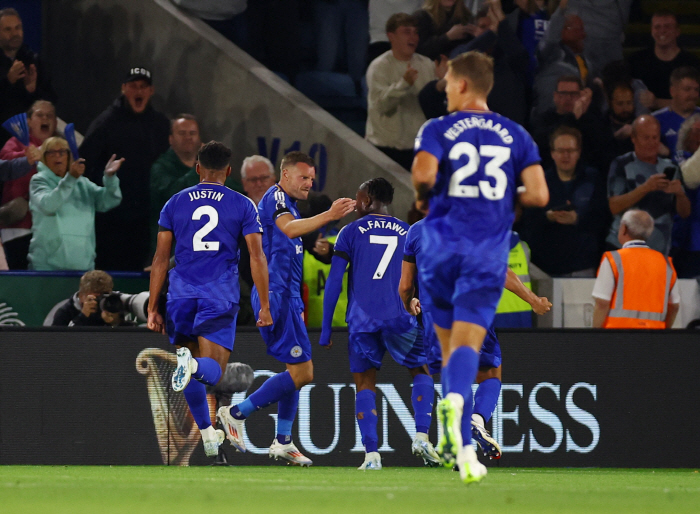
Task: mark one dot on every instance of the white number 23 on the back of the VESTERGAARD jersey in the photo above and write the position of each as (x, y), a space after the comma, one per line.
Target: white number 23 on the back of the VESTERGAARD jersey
(498, 154)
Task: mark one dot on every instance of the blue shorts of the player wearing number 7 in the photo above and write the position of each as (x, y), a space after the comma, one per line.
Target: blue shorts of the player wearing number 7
(401, 338)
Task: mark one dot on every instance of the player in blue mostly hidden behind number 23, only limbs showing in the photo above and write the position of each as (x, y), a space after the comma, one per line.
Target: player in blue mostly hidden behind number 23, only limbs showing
(488, 377)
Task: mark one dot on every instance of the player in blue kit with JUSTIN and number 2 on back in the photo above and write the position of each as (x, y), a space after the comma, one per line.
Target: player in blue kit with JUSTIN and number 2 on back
(205, 223)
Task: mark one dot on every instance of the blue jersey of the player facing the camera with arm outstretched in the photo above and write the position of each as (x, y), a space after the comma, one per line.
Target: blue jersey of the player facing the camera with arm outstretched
(285, 256)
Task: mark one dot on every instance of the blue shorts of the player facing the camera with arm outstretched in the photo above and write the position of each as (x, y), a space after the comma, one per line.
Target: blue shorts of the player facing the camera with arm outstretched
(286, 339)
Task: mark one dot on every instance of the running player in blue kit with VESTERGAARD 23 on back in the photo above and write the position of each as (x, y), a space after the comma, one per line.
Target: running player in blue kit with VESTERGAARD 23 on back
(465, 173)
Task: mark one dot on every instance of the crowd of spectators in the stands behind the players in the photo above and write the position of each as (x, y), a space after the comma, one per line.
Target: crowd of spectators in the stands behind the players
(614, 133)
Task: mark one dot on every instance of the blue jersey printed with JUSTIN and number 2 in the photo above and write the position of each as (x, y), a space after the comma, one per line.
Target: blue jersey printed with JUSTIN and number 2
(208, 222)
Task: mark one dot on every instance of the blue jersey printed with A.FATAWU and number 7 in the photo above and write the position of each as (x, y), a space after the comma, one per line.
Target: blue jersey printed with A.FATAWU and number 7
(373, 246)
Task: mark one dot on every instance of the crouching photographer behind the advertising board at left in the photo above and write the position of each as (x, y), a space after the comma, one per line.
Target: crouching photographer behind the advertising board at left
(82, 307)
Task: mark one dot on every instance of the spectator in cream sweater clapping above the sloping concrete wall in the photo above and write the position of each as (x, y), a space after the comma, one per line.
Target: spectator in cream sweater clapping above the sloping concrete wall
(394, 80)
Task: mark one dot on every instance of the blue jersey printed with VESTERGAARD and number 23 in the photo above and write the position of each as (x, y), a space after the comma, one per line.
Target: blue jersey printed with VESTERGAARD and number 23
(481, 155)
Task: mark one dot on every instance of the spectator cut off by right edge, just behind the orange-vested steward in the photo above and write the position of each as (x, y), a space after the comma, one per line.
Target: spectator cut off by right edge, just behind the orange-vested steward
(685, 248)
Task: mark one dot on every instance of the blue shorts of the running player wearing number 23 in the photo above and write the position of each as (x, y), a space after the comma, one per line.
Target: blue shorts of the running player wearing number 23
(462, 288)
